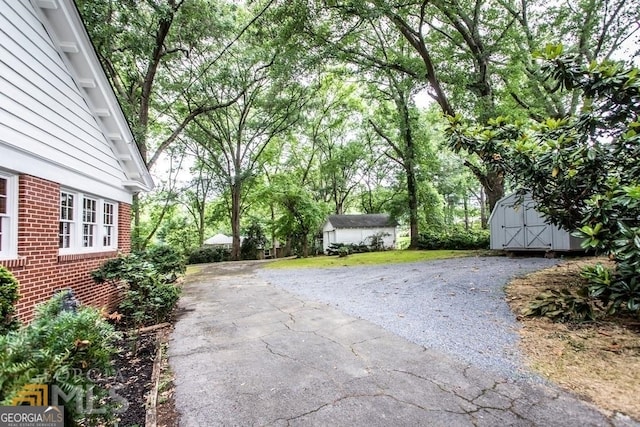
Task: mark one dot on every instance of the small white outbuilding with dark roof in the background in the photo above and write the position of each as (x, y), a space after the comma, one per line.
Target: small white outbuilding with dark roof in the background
(356, 229)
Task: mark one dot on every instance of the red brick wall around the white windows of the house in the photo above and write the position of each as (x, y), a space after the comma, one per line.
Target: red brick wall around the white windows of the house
(40, 270)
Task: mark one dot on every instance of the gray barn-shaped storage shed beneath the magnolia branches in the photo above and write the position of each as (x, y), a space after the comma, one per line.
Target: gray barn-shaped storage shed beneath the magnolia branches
(516, 225)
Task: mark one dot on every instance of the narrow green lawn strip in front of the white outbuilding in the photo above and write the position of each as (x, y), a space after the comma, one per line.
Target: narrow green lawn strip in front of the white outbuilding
(371, 258)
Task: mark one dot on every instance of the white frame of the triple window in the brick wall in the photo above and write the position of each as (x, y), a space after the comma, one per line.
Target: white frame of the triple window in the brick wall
(79, 222)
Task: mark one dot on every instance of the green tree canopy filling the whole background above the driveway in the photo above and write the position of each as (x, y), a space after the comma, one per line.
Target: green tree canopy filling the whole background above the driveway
(276, 113)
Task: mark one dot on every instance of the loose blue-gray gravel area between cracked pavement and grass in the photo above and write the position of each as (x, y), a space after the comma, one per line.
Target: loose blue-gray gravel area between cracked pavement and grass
(456, 306)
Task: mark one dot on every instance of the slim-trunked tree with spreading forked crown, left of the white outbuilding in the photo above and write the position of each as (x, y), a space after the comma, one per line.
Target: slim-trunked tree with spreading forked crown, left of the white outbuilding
(236, 137)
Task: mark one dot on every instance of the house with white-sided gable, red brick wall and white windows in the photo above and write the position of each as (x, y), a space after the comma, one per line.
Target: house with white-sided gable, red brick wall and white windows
(68, 164)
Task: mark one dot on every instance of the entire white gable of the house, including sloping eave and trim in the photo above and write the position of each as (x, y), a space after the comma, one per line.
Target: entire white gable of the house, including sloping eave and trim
(59, 118)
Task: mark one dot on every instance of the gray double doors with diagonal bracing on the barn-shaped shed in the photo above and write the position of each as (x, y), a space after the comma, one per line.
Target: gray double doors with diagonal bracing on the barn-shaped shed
(524, 227)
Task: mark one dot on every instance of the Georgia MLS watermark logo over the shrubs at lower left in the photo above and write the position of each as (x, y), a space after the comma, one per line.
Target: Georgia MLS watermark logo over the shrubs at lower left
(40, 405)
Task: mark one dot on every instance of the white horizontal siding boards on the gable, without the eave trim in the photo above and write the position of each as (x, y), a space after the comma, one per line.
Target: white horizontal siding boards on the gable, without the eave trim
(43, 113)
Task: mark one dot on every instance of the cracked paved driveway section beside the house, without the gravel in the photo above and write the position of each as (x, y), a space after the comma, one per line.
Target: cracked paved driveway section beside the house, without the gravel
(245, 353)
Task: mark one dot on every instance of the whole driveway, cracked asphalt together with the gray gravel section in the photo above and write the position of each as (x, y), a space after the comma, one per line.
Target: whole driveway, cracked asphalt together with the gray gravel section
(245, 351)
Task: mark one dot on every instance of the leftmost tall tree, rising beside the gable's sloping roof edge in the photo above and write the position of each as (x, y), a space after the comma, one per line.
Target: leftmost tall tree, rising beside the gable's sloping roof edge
(141, 45)
